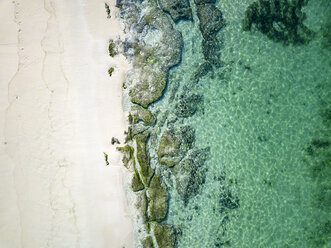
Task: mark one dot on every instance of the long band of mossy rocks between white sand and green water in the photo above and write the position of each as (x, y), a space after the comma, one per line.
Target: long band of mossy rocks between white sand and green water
(154, 46)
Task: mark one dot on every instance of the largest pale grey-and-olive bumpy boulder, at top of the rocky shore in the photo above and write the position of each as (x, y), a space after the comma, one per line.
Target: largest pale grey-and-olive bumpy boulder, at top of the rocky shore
(155, 46)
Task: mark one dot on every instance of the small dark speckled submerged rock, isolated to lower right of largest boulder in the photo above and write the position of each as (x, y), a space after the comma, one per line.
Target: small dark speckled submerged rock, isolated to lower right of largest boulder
(188, 104)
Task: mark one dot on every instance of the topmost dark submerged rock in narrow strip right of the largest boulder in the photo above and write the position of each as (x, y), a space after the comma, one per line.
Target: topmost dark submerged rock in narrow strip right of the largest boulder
(211, 20)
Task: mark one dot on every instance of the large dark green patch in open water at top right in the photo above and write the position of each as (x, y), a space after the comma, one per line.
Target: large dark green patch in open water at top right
(279, 20)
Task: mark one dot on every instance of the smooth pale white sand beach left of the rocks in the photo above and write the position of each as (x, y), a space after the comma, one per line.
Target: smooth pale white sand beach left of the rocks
(59, 110)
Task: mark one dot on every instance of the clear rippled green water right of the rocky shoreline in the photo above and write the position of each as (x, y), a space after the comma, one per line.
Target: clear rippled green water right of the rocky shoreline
(264, 113)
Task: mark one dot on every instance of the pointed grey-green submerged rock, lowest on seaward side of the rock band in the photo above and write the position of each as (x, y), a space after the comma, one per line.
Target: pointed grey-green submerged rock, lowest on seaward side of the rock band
(190, 174)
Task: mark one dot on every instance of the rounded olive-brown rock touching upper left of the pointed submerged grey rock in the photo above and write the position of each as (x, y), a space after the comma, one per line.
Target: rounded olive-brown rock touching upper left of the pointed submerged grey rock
(174, 144)
